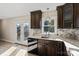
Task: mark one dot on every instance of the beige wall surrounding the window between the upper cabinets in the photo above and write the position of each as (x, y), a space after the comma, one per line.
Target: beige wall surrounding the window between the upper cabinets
(53, 15)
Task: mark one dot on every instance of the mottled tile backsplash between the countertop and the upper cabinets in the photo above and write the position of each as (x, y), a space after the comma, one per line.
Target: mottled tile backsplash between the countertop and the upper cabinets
(63, 33)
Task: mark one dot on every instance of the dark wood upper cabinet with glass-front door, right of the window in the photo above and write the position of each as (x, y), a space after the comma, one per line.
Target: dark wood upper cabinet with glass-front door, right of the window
(68, 15)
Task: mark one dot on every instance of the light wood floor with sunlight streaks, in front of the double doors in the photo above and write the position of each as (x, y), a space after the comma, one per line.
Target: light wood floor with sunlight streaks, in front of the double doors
(10, 49)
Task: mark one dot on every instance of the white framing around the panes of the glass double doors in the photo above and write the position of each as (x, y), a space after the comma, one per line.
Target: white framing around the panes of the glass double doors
(22, 41)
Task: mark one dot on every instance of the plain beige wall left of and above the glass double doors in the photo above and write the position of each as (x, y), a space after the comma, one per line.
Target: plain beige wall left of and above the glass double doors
(9, 28)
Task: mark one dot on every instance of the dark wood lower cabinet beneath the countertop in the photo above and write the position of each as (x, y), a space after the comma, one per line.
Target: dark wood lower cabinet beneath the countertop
(51, 48)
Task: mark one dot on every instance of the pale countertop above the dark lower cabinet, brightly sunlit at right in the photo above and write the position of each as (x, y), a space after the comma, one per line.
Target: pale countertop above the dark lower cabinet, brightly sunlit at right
(72, 48)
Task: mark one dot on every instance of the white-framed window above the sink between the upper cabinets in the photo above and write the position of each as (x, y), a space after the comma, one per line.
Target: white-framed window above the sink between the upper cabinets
(49, 26)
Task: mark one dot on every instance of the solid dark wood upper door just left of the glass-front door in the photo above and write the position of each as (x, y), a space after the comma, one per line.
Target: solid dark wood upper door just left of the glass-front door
(60, 16)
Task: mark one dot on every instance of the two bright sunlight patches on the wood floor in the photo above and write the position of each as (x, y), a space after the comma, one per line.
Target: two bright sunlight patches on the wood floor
(21, 52)
